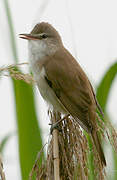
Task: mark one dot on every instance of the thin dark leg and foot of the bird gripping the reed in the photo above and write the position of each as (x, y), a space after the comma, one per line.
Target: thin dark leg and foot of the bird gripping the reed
(56, 124)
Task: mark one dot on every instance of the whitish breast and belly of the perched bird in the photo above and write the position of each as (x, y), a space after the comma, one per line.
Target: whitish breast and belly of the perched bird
(36, 57)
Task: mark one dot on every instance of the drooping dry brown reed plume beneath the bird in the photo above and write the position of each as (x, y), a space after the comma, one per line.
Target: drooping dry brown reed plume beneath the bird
(73, 155)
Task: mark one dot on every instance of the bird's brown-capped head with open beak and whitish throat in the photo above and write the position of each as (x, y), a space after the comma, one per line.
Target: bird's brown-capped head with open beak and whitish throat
(43, 37)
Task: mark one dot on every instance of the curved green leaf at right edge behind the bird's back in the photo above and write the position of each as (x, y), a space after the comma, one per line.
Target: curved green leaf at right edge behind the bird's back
(105, 85)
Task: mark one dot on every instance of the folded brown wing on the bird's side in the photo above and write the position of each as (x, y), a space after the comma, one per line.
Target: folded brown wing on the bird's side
(70, 86)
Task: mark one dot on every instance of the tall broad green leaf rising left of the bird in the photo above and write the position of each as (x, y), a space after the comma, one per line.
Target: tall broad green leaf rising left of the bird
(29, 134)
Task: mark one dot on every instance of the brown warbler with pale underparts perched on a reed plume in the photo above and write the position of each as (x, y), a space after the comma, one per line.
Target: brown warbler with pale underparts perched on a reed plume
(61, 81)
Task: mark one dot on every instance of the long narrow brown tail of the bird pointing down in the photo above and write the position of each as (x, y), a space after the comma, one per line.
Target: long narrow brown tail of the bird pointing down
(98, 146)
